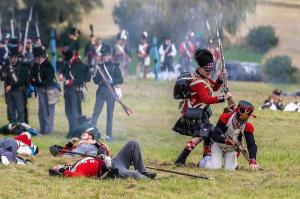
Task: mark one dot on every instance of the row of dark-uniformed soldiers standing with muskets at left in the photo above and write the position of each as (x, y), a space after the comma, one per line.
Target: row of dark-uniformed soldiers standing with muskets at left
(32, 71)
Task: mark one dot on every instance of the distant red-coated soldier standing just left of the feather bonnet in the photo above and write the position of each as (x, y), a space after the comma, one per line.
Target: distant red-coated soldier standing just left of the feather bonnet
(186, 51)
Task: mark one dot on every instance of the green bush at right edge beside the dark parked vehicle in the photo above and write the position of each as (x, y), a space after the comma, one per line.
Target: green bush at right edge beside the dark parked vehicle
(280, 69)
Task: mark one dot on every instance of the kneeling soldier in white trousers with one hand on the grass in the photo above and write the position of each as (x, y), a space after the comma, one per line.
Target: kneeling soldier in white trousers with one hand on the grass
(230, 131)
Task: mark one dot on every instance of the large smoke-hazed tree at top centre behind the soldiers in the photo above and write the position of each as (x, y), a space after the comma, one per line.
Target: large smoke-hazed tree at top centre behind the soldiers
(176, 17)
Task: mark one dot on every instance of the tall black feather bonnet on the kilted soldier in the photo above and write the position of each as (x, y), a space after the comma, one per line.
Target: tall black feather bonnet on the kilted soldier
(204, 59)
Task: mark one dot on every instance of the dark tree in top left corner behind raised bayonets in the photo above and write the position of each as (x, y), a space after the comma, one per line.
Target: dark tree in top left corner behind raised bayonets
(56, 14)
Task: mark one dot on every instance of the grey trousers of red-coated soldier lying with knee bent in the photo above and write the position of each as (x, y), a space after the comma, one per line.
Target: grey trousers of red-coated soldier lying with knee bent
(130, 154)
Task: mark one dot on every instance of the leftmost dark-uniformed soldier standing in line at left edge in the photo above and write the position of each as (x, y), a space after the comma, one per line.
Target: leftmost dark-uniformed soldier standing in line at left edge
(16, 78)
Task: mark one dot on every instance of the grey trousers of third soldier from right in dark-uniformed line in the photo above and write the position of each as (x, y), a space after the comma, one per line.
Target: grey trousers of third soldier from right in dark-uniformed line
(46, 112)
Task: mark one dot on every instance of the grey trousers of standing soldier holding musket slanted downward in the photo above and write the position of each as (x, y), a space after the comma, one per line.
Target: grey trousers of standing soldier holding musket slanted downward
(103, 94)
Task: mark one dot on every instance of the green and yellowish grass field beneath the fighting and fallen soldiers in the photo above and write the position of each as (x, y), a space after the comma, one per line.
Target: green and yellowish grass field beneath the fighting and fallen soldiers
(155, 111)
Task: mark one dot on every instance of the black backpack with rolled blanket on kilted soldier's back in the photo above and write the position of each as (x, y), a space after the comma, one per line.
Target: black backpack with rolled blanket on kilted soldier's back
(181, 88)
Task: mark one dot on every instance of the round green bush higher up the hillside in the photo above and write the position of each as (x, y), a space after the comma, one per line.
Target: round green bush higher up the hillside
(262, 38)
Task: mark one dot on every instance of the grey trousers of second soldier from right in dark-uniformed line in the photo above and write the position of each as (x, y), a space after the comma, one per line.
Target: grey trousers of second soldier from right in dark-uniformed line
(73, 100)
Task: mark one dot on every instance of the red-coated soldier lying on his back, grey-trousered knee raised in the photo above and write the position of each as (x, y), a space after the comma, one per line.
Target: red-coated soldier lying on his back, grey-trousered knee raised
(105, 167)
